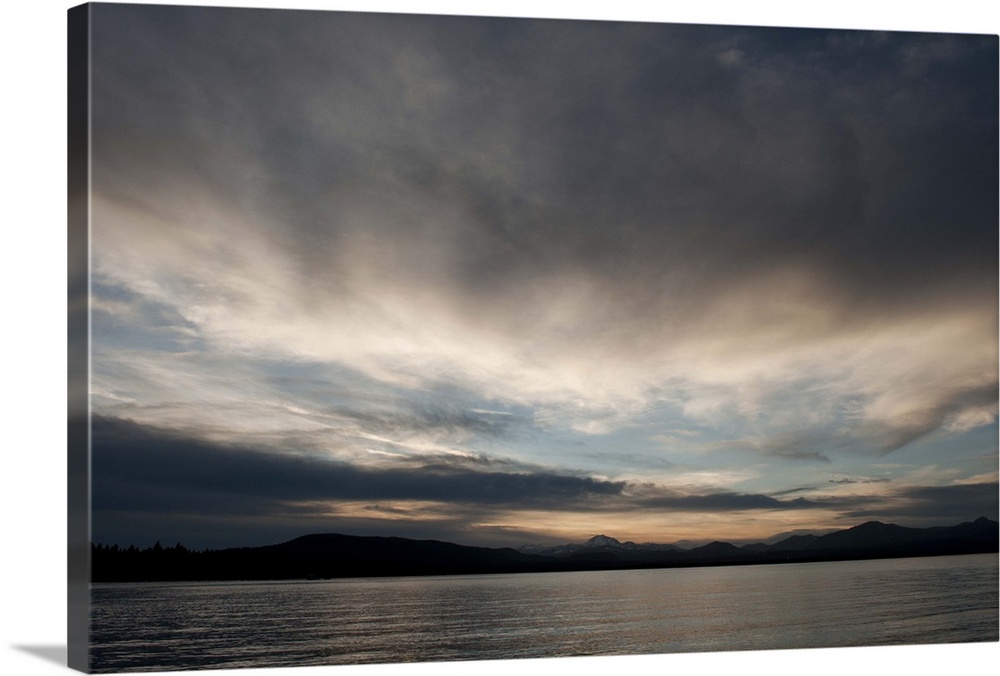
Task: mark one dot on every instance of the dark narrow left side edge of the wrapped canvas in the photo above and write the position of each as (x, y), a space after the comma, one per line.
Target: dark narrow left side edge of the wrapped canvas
(78, 338)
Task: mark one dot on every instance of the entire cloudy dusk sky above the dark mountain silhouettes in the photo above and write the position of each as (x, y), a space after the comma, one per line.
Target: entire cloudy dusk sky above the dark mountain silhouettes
(502, 281)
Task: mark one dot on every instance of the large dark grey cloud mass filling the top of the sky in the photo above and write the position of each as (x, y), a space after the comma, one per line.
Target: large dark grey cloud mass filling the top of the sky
(872, 148)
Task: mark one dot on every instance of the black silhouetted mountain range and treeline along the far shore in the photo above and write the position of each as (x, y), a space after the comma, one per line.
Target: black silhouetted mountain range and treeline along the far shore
(334, 555)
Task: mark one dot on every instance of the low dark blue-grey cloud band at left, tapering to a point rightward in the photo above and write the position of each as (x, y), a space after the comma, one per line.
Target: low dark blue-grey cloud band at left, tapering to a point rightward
(145, 469)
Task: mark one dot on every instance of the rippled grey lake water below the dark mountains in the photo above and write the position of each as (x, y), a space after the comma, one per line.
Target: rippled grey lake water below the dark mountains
(228, 625)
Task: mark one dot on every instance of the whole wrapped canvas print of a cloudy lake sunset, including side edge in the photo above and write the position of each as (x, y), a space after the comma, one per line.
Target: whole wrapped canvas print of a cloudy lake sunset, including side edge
(410, 338)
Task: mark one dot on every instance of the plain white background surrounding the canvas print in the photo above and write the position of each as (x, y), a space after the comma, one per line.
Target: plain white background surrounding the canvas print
(33, 330)
